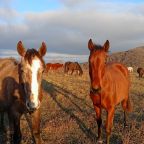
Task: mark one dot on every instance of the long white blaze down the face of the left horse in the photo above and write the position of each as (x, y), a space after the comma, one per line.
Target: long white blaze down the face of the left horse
(34, 85)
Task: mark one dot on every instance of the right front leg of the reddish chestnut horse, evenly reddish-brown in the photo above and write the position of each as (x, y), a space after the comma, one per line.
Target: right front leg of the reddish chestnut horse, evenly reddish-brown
(109, 123)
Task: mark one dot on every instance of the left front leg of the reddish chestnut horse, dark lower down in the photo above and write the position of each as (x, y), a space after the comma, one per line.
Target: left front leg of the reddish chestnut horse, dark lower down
(99, 122)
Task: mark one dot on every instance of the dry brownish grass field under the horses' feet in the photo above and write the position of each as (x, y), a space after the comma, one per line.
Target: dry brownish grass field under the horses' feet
(68, 116)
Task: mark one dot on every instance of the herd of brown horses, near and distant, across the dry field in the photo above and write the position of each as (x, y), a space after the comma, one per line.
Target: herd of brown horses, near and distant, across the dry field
(21, 87)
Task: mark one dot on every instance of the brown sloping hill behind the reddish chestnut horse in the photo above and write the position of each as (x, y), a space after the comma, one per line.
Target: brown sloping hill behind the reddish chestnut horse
(133, 57)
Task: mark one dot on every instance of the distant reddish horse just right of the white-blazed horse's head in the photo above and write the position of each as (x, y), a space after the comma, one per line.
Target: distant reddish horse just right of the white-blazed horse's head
(53, 66)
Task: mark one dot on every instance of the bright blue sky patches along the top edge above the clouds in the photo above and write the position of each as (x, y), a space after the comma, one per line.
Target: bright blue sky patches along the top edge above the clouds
(44, 5)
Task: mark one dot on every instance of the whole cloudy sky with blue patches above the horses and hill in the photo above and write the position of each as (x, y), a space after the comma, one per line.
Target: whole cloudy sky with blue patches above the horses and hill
(67, 25)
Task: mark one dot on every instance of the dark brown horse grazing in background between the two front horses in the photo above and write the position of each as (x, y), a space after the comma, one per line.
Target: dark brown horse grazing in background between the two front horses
(71, 67)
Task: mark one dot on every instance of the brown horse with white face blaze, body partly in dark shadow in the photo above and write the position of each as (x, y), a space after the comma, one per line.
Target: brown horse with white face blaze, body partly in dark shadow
(20, 89)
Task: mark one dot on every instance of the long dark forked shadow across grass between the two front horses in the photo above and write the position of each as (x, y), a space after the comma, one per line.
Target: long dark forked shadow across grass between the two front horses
(52, 90)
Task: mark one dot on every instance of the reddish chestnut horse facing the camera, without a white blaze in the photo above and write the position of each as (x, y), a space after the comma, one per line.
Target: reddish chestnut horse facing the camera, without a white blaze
(109, 86)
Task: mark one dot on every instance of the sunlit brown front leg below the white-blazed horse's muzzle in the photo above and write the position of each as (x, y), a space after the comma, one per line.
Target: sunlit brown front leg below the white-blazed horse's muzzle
(36, 126)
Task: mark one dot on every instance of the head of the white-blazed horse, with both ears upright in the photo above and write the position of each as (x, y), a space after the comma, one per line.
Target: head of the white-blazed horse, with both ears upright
(30, 74)
